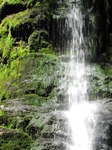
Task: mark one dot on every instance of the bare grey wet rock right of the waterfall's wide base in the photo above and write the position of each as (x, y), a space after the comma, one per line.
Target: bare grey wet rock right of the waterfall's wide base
(103, 129)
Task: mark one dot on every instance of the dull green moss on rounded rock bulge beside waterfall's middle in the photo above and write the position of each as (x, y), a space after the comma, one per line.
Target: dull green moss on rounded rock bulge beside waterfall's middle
(42, 75)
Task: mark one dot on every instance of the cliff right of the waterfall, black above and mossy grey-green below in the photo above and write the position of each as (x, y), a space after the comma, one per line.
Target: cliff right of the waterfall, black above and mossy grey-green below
(99, 22)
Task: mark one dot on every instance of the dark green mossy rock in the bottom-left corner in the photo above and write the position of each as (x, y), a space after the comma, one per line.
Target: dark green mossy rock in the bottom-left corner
(13, 140)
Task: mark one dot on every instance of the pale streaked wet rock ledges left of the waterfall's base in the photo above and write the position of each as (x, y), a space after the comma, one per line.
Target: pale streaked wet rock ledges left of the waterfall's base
(45, 124)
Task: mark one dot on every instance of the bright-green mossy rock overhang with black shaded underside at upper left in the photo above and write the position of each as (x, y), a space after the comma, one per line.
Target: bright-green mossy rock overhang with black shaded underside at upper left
(21, 24)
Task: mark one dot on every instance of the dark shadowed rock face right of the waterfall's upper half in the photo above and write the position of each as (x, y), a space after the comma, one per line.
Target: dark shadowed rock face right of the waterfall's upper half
(100, 15)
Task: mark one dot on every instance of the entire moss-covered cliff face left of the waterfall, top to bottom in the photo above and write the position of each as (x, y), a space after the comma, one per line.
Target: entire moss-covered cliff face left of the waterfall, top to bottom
(28, 74)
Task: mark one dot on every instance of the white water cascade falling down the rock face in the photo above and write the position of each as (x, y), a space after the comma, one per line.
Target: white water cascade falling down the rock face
(81, 112)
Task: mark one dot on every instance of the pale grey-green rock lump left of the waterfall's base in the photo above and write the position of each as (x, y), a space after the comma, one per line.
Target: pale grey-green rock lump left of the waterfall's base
(42, 125)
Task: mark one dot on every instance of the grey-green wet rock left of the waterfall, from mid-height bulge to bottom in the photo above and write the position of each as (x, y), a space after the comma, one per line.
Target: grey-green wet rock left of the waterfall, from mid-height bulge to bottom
(32, 106)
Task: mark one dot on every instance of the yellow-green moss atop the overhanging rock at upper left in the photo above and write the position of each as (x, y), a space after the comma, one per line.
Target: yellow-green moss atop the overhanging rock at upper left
(26, 17)
